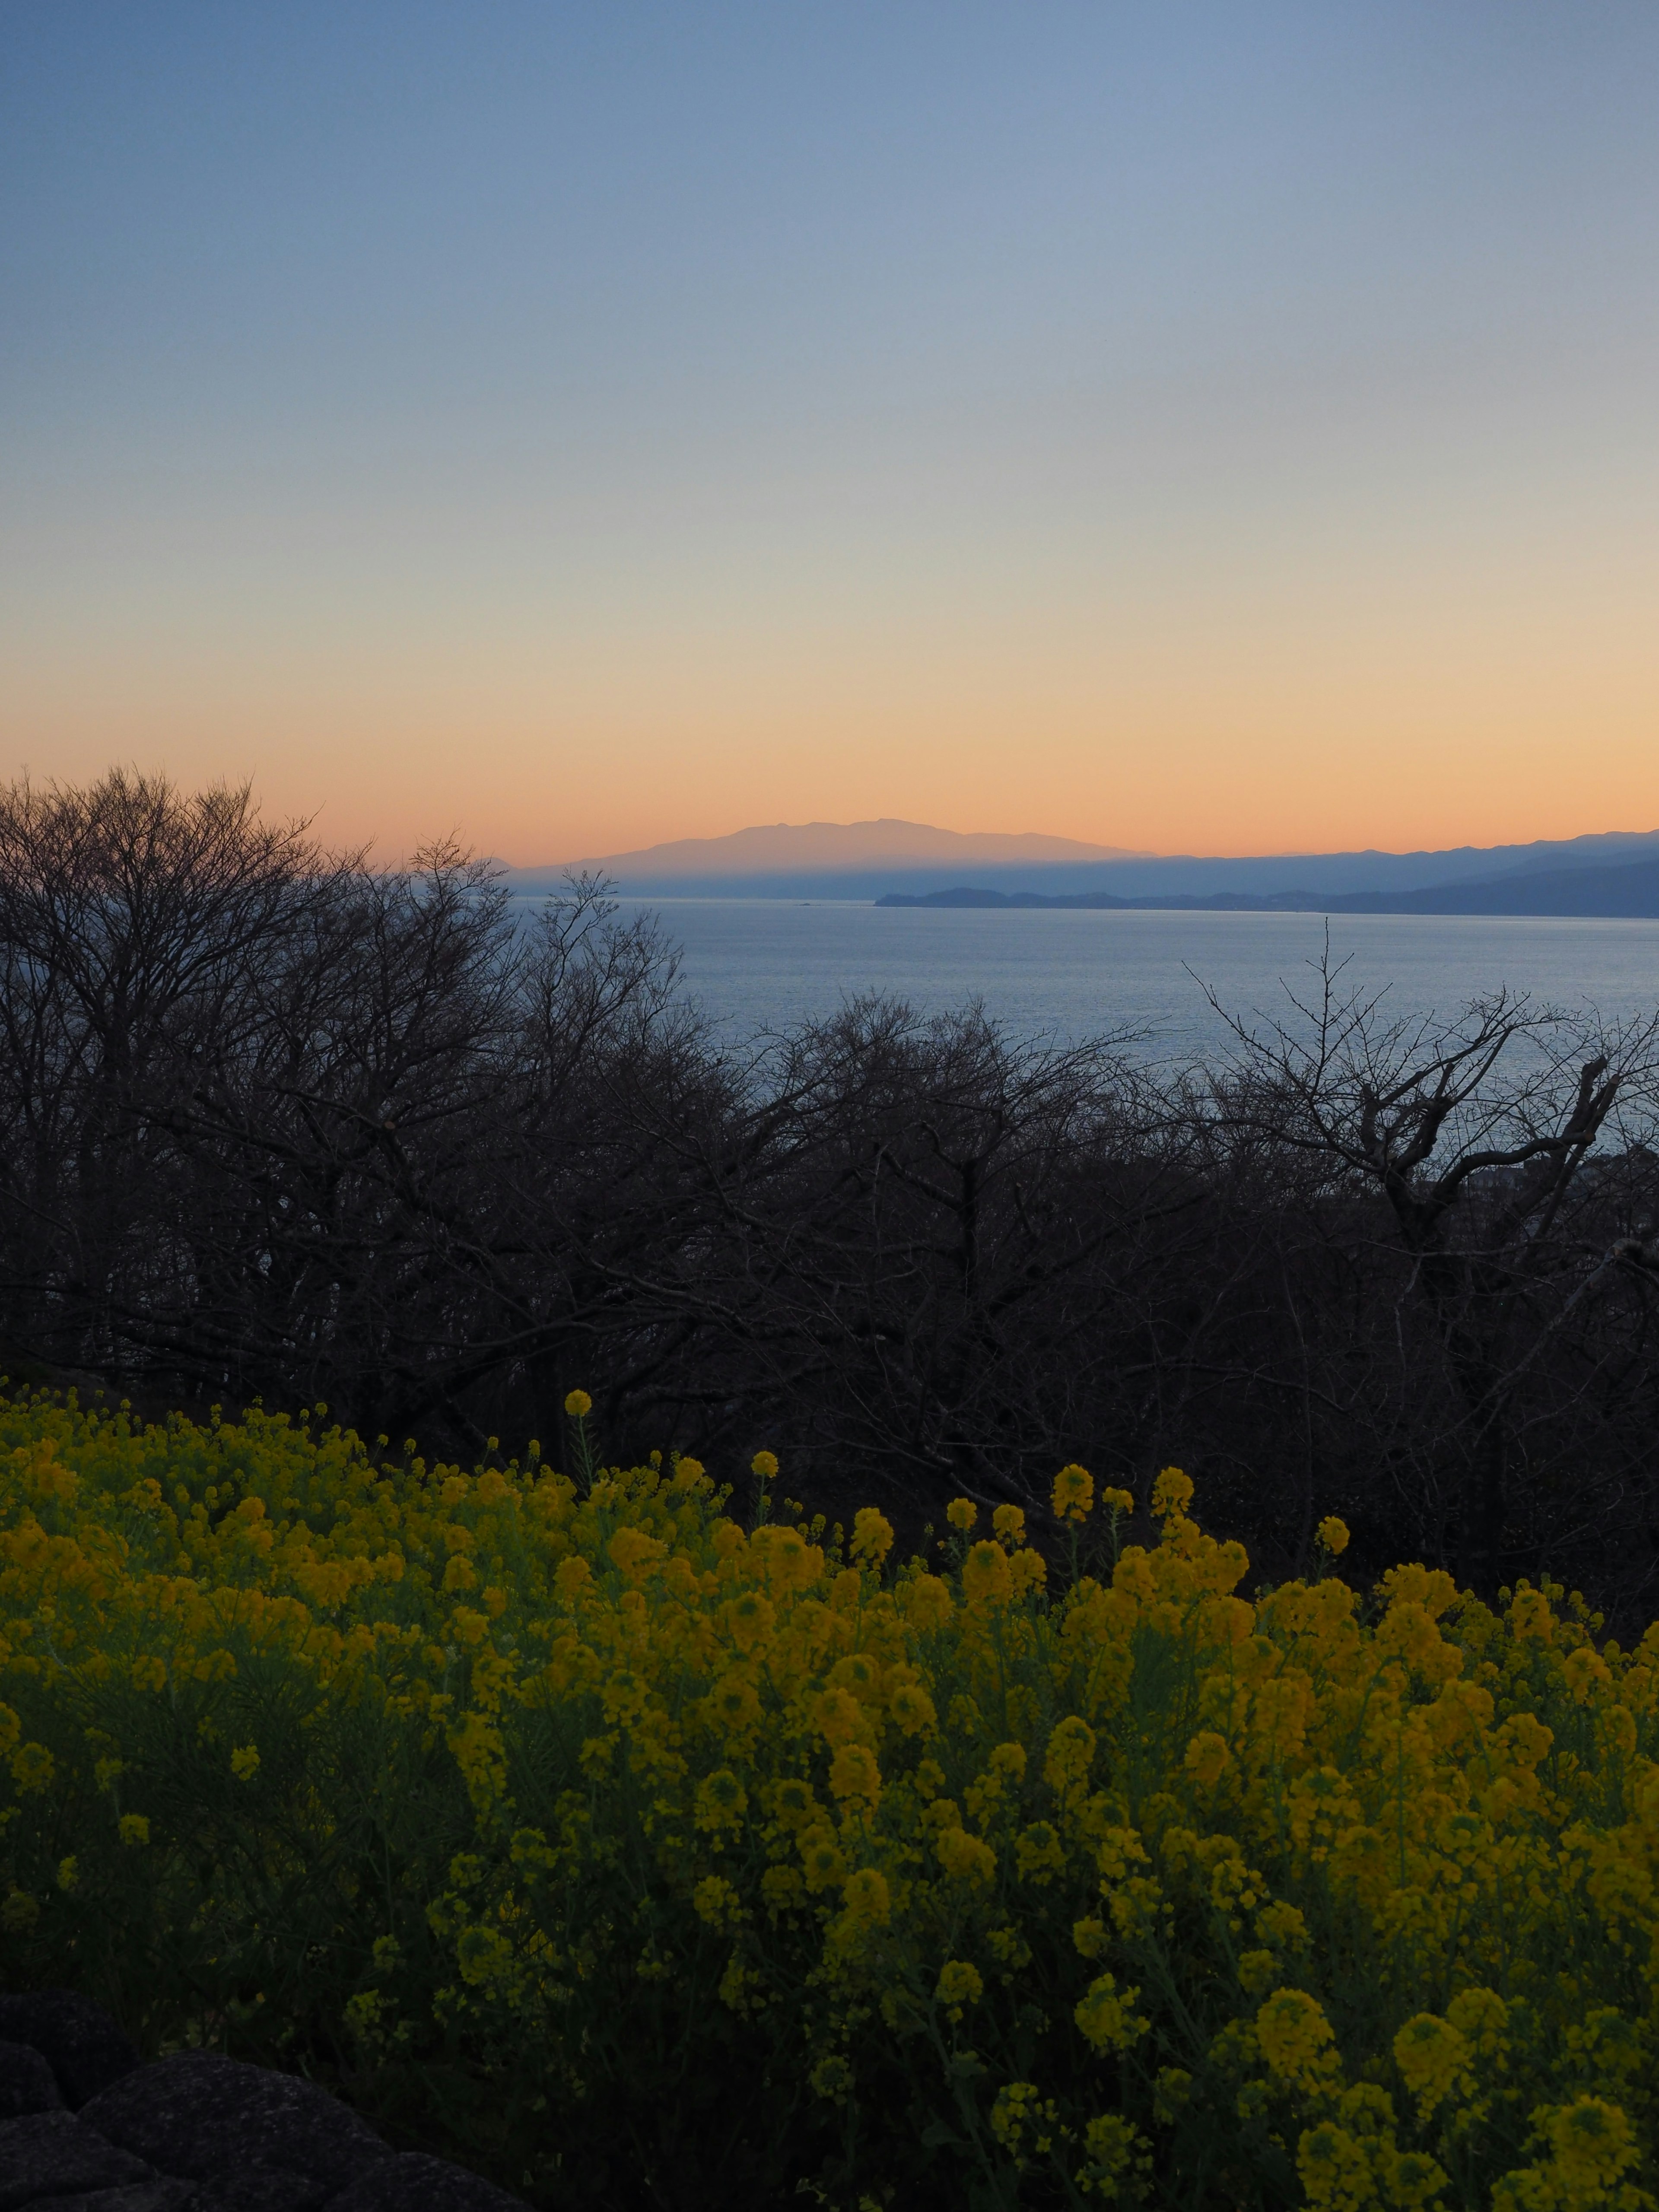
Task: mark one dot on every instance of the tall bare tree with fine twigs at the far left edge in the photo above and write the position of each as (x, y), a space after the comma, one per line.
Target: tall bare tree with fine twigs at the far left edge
(125, 912)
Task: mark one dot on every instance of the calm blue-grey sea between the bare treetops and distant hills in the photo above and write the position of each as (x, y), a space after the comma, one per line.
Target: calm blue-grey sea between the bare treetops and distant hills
(760, 966)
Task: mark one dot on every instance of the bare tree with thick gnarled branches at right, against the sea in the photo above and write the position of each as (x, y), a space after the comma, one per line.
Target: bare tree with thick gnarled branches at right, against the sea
(1501, 1158)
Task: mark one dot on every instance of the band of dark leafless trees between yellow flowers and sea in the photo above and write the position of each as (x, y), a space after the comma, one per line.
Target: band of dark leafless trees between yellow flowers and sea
(284, 1125)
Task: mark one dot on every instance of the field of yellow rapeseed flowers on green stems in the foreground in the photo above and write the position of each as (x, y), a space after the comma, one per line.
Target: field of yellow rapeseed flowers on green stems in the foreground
(660, 1855)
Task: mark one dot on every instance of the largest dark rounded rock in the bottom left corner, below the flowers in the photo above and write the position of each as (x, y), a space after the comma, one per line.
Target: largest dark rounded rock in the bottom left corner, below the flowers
(205, 2118)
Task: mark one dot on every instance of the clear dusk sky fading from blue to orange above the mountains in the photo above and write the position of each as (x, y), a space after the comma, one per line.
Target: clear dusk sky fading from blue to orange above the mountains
(1180, 426)
